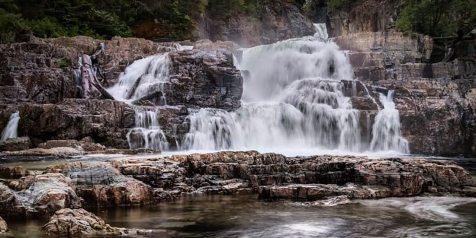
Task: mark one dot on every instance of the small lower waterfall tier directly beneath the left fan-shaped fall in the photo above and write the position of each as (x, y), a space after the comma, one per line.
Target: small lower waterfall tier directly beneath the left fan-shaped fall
(147, 133)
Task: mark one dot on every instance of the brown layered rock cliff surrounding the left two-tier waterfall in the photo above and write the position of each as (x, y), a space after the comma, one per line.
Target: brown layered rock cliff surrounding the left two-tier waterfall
(39, 79)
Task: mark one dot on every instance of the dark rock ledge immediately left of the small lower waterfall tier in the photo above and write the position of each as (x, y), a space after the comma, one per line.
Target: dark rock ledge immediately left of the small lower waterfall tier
(106, 121)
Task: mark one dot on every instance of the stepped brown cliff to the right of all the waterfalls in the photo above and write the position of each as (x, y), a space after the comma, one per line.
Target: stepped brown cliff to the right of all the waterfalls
(434, 99)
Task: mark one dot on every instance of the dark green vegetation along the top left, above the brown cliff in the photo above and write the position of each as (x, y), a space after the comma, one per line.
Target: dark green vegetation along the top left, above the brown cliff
(103, 19)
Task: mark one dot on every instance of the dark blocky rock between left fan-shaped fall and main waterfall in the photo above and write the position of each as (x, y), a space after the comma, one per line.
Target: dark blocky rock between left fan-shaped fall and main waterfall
(204, 78)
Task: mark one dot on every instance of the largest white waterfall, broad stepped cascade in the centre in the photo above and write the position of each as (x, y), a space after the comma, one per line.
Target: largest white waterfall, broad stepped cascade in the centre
(293, 98)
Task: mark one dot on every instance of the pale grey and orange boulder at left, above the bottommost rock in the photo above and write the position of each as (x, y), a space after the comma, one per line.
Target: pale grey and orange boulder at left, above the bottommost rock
(49, 193)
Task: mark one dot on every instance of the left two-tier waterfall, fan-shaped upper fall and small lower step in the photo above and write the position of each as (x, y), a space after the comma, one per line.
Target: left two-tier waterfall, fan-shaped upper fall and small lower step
(143, 78)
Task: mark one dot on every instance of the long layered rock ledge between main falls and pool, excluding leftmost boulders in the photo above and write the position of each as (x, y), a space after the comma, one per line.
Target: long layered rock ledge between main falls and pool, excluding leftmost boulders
(272, 176)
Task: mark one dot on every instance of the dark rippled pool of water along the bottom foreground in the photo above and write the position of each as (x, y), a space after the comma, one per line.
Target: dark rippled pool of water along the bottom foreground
(246, 216)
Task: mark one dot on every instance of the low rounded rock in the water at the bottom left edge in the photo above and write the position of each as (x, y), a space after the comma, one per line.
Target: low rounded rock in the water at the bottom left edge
(69, 222)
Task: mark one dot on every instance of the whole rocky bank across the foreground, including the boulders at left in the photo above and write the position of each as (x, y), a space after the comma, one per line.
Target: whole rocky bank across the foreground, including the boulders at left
(269, 176)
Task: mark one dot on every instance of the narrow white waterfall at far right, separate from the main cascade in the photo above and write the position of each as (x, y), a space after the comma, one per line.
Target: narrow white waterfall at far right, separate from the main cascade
(386, 130)
